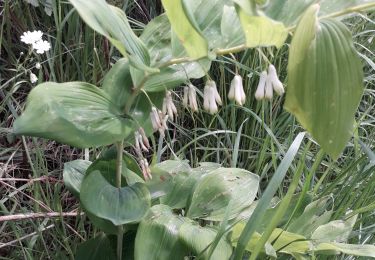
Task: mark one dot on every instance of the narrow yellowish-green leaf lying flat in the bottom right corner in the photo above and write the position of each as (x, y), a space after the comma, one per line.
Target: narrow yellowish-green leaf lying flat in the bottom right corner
(349, 249)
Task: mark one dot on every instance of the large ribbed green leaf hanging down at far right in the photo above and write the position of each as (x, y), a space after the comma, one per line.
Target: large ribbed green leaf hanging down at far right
(325, 81)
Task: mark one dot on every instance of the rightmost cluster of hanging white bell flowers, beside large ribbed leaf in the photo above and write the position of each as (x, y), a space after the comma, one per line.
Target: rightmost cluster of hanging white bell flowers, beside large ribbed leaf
(268, 83)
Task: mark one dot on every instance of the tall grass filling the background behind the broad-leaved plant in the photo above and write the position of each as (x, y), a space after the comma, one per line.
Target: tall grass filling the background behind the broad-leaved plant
(255, 136)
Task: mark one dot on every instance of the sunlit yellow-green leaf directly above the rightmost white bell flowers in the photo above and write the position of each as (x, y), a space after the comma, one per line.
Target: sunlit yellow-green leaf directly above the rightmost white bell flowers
(262, 31)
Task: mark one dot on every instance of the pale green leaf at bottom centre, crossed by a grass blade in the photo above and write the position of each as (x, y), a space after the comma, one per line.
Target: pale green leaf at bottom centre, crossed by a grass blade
(198, 239)
